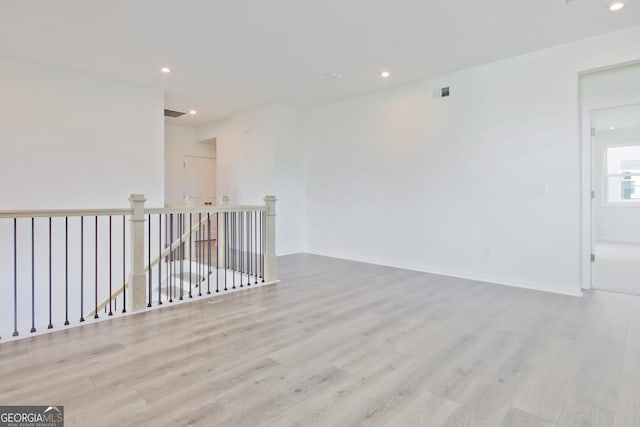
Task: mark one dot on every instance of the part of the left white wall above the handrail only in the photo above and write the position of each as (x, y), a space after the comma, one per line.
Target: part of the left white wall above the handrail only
(73, 140)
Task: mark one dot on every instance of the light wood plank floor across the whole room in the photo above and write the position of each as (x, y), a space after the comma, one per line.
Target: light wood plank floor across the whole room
(340, 343)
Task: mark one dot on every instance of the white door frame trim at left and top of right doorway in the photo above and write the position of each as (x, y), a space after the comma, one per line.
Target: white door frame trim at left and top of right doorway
(586, 153)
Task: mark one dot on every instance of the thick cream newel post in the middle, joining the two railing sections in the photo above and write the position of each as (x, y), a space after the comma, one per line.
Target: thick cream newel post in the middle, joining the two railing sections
(137, 292)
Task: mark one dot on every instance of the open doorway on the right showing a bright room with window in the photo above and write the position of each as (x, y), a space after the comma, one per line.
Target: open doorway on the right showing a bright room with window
(615, 204)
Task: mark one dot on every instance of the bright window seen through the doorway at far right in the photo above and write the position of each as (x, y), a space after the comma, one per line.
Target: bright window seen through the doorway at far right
(623, 174)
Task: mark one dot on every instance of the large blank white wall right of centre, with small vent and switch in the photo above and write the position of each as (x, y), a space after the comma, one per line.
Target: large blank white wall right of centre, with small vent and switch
(484, 184)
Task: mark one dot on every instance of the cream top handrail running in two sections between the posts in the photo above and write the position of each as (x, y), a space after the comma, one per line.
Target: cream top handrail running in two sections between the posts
(61, 213)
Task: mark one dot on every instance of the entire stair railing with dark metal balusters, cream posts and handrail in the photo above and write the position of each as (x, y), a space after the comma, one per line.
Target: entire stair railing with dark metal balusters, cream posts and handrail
(244, 245)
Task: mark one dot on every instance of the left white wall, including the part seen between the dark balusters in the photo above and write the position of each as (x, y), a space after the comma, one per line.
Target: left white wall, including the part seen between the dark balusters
(70, 141)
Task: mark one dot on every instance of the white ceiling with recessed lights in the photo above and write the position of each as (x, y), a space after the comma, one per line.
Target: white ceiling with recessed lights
(235, 55)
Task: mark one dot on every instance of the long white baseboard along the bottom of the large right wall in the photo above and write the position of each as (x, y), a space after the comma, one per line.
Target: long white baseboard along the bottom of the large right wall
(524, 284)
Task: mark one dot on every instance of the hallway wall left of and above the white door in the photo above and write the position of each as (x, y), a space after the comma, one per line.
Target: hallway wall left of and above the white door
(180, 141)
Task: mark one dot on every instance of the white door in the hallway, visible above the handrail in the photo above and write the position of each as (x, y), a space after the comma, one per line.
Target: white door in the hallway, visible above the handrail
(199, 181)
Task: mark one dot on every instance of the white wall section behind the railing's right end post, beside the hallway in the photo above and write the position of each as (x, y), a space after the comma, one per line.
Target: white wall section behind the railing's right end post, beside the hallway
(258, 153)
